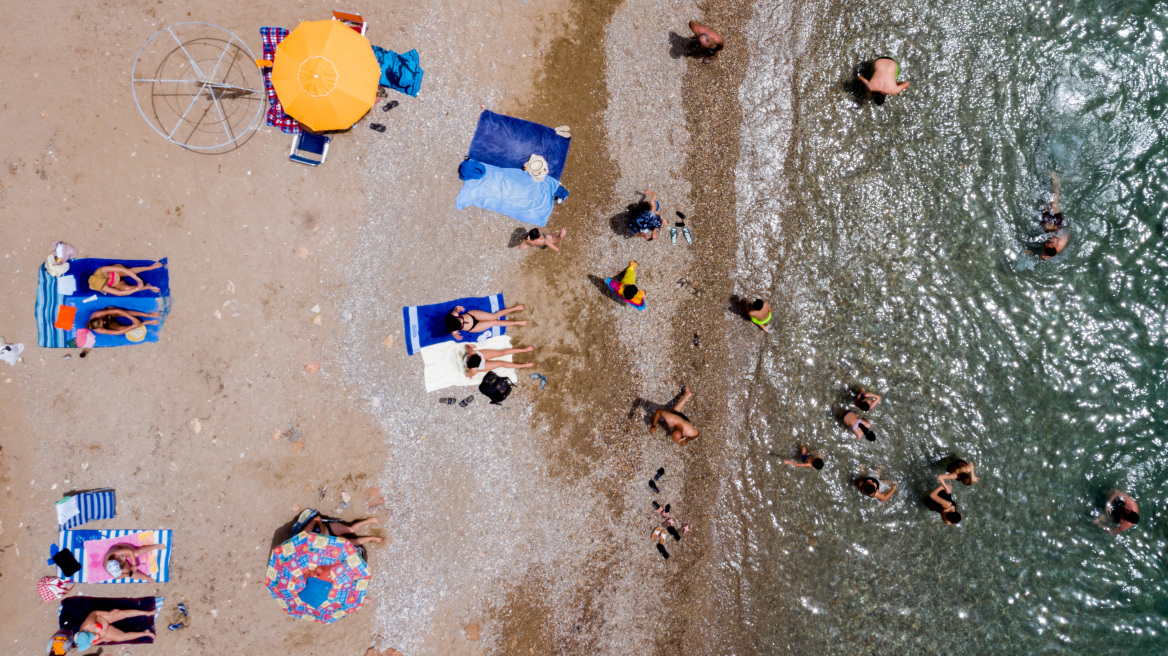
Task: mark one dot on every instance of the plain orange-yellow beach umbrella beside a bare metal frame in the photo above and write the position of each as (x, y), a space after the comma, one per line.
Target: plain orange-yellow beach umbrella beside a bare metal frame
(325, 75)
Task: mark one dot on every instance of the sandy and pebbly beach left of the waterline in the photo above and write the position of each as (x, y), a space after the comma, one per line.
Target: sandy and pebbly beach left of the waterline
(519, 529)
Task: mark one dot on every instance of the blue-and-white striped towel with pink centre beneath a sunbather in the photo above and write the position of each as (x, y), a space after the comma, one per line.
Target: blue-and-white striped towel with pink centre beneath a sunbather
(89, 548)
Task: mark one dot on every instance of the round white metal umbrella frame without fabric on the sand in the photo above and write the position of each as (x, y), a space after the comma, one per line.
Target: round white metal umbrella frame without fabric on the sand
(198, 86)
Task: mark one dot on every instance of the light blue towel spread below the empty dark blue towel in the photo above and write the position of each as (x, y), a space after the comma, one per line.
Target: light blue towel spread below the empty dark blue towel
(511, 192)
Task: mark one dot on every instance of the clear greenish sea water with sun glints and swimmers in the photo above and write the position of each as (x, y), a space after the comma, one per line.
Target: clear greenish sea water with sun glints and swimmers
(893, 242)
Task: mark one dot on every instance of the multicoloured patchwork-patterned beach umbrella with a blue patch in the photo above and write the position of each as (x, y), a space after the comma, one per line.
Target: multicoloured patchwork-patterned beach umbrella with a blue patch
(294, 562)
